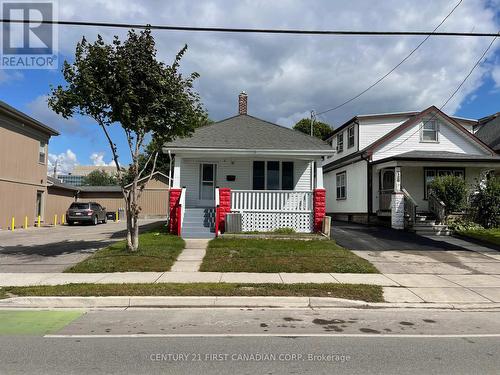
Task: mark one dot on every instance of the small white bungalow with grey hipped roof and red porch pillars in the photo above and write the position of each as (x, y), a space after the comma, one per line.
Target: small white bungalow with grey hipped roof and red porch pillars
(270, 174)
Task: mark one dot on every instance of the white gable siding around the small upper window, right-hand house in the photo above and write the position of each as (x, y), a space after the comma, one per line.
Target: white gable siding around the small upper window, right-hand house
(450, 139)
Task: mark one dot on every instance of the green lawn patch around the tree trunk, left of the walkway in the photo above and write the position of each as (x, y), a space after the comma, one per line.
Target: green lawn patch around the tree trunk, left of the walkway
(158, 250)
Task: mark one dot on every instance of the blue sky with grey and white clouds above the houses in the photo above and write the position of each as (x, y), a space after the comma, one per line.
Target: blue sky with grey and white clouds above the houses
(285, 76)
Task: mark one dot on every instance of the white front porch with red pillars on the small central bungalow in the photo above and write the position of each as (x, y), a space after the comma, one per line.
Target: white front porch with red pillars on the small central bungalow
(261, 193)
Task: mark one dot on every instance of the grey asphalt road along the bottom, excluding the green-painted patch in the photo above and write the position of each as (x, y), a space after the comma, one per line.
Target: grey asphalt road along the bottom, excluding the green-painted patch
(262, 342)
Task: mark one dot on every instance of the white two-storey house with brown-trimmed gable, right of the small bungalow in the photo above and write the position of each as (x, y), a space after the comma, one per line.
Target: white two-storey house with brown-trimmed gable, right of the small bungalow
(385, 163)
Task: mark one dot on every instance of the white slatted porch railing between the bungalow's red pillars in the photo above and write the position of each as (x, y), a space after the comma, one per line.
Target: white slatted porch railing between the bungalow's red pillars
(271, 201)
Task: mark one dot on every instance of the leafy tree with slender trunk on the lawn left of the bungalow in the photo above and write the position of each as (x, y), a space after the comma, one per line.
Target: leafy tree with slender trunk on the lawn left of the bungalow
(125, 83)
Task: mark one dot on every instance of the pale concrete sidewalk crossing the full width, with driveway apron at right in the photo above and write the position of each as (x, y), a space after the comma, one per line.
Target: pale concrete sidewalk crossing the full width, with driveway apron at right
(398, 288)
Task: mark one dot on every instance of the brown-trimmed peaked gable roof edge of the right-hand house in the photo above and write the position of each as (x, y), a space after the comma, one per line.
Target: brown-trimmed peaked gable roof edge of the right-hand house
(412, 121)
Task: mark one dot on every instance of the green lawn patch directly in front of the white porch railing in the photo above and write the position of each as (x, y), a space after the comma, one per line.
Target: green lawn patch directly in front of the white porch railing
(270, 255)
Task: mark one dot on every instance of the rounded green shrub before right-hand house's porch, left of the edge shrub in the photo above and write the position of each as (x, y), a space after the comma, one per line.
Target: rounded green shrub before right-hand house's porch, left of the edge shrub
(452, 191)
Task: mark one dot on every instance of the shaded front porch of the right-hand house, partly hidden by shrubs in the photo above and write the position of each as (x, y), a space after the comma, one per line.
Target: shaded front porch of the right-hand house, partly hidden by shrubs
(408, 181)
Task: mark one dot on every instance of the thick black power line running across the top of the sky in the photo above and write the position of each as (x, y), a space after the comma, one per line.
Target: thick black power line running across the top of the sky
(249, 30)
